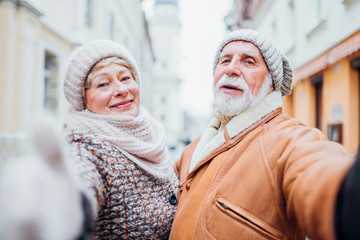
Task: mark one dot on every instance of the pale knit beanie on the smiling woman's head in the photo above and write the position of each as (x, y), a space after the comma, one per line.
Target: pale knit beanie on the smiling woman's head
(83, 59)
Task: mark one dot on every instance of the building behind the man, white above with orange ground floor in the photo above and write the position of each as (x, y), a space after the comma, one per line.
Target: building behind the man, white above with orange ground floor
(322, 41)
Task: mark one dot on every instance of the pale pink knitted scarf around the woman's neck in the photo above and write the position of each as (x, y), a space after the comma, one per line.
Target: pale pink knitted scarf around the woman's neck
(141, 138)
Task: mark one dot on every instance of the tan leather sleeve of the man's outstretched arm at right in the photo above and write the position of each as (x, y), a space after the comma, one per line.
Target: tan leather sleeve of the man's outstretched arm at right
(313, 171)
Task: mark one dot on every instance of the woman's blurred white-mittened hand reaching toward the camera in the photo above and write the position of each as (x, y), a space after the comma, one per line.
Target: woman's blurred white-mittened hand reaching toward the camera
(38, 196)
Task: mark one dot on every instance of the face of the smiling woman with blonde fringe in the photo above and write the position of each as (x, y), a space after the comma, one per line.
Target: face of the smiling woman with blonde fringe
(113, 91)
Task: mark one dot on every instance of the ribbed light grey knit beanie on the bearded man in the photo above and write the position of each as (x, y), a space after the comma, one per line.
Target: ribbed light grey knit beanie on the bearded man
(276, 61)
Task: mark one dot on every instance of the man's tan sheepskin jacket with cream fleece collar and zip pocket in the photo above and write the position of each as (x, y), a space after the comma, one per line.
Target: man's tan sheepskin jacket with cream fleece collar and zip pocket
(266, 176)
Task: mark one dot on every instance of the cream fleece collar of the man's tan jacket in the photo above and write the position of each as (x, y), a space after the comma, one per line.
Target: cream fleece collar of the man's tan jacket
(211, 139)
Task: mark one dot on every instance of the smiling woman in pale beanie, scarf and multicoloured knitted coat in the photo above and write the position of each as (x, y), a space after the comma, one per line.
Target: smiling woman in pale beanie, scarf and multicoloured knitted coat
(120, 149)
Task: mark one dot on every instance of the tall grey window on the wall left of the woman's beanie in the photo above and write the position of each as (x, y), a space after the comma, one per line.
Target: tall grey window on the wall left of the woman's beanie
(50, 83)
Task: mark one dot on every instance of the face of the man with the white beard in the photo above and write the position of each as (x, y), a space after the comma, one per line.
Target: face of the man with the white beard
(239, 78)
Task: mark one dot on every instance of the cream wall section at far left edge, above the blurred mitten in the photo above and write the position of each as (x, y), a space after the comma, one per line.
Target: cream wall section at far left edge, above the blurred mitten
(19, 33)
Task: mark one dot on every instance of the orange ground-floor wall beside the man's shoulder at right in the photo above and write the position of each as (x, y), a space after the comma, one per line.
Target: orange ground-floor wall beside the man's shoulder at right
(340, 88)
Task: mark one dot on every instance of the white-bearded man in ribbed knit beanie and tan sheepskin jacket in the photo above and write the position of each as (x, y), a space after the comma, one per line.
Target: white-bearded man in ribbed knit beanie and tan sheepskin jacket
(255, 172)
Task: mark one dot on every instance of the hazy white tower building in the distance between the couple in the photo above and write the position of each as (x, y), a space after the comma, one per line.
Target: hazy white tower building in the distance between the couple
(165, 29)
